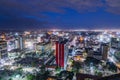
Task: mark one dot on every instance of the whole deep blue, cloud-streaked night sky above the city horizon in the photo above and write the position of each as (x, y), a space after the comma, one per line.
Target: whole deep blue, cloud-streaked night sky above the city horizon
(59, 14)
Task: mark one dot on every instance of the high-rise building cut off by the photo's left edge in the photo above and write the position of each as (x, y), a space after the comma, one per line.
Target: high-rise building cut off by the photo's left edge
(3, 49)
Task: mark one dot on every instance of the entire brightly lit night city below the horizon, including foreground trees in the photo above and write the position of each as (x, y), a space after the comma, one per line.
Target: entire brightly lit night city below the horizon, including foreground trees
(60, 55)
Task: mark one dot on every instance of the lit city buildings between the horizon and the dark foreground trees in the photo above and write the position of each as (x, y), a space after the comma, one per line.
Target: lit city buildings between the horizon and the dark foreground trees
(61, 48)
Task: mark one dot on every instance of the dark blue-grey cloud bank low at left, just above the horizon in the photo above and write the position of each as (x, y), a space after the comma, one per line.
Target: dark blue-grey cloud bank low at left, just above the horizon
(10, 20)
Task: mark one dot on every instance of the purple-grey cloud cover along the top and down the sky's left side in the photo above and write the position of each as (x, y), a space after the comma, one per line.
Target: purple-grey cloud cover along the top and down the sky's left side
(16, 12)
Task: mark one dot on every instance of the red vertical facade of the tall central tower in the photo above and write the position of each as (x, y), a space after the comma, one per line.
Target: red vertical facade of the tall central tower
(60, 54)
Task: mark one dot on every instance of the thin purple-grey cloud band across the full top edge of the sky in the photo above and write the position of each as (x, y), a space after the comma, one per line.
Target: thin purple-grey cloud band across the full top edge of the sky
(34, 7)
